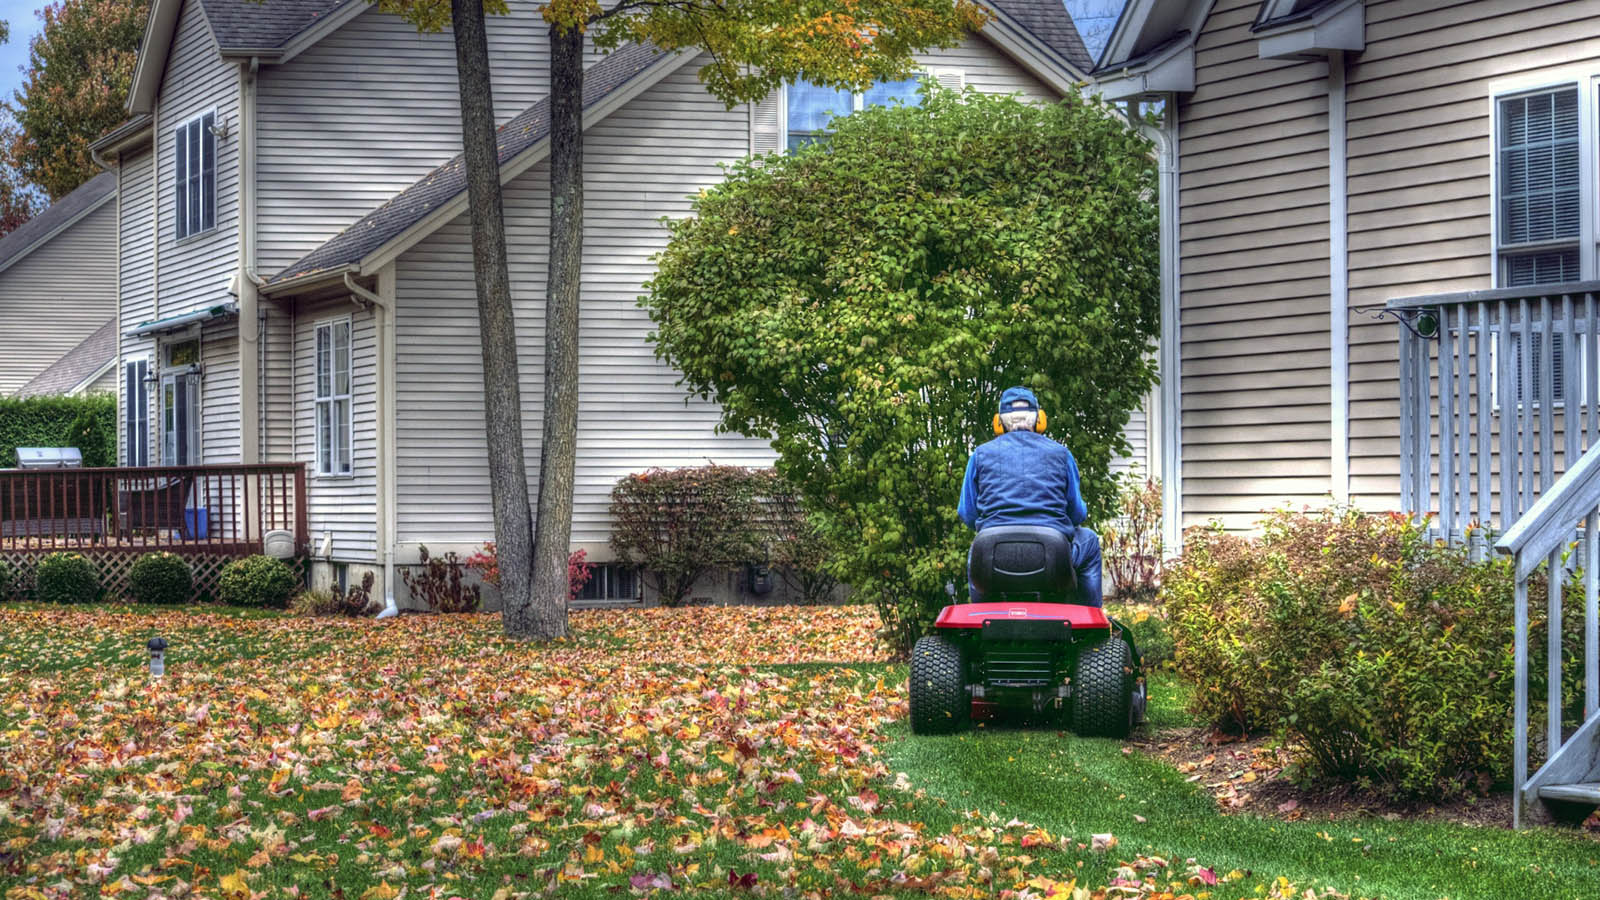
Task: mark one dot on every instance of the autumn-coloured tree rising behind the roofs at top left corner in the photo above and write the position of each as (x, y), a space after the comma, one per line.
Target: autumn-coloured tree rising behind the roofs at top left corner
(79, 70)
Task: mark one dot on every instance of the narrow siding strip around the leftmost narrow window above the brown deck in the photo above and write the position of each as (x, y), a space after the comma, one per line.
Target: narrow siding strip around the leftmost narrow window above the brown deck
(135, 284)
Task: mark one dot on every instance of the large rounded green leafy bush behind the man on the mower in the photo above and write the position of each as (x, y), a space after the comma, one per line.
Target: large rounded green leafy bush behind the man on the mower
(863, 303)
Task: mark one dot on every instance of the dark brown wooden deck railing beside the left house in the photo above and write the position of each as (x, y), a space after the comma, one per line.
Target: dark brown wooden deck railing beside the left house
(217, 510)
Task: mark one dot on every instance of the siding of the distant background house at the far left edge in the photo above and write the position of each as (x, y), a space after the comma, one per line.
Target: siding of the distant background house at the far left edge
(62, 292)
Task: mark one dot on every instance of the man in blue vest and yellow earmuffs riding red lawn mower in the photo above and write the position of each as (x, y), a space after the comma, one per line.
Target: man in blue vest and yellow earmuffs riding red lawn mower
(1033, 637)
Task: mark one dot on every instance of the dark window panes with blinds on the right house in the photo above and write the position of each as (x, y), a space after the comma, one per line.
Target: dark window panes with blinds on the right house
(1538, 188)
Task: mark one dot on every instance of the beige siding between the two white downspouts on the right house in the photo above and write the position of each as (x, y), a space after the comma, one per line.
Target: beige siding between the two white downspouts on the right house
(1254, 313)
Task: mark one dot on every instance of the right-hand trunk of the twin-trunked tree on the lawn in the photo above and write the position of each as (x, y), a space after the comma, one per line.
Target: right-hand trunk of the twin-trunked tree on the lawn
(559, 438)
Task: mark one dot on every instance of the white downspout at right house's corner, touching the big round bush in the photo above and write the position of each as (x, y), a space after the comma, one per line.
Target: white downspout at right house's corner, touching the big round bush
(1170, 356)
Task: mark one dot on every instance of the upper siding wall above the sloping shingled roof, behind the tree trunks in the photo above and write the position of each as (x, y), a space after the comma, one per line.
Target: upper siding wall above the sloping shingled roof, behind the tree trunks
(366, 113)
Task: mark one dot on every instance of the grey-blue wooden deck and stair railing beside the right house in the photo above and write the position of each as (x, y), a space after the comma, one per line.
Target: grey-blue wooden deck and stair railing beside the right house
(1500, 433)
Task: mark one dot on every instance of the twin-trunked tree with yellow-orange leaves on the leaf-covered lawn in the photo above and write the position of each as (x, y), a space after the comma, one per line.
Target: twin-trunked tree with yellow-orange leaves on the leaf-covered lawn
(754, 46)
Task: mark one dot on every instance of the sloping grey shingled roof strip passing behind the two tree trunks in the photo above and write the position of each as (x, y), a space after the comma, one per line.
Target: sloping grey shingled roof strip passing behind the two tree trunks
(449, 182)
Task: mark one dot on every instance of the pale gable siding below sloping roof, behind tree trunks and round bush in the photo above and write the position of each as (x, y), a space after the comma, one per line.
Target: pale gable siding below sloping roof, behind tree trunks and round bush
(642, 163)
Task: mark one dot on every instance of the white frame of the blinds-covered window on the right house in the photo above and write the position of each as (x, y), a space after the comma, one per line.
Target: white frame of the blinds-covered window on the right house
(1588, 82)
